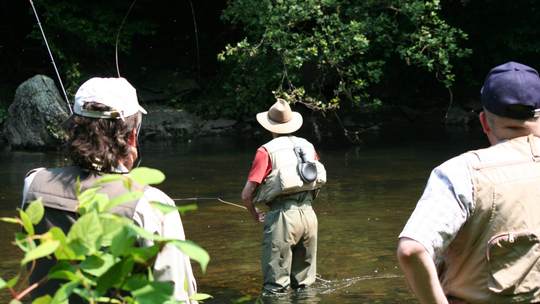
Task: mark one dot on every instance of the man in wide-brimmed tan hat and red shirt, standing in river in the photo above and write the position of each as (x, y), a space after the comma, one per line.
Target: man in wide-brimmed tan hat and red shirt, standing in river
(289, 248)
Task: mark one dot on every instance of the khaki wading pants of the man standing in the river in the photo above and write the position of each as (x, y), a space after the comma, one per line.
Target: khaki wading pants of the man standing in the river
(289, 249)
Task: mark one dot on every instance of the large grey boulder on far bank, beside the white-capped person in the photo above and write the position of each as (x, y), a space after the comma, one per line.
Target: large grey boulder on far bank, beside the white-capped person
(36, 114)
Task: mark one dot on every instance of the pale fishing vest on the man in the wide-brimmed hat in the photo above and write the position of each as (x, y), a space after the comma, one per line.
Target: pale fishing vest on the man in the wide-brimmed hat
(284, 177)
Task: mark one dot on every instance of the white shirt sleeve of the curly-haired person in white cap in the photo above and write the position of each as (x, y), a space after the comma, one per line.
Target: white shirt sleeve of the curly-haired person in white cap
(171, 264)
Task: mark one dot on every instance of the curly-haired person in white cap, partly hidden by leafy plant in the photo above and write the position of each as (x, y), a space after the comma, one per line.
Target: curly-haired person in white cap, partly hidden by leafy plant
(102, 138)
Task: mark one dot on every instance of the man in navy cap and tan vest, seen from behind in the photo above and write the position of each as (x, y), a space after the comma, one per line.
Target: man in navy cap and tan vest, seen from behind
(474, 236)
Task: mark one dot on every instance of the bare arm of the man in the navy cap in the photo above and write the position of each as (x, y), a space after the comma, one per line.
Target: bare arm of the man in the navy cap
(420, 271)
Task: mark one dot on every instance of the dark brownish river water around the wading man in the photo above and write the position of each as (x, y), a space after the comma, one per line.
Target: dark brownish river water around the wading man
(370, 193)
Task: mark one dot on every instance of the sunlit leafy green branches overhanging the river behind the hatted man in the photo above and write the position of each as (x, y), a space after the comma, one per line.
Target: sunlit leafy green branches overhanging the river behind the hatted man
(323, 53)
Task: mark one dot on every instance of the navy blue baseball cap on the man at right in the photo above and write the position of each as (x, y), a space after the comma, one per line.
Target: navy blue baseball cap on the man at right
(512, 90)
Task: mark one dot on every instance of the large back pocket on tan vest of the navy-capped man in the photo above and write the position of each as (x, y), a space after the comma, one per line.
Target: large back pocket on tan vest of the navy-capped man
(513, 261)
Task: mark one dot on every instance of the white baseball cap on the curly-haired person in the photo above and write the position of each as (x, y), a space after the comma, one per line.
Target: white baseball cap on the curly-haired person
(116, 93)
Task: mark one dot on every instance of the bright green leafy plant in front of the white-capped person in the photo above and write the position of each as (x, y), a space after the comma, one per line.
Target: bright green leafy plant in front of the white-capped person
(99, 259)
